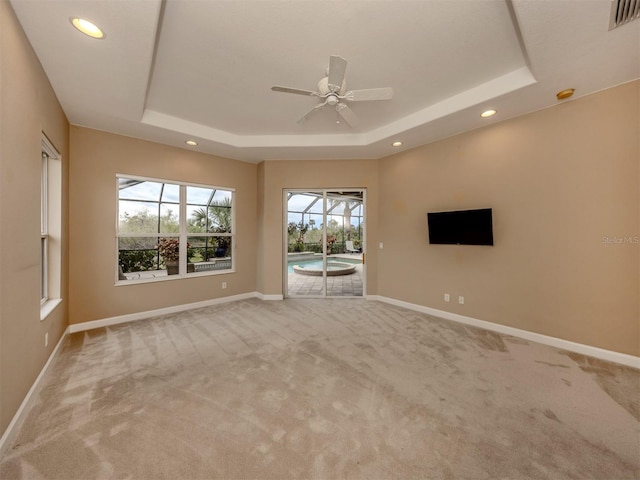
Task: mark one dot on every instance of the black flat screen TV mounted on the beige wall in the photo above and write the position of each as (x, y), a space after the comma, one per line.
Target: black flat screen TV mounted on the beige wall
(461, 227)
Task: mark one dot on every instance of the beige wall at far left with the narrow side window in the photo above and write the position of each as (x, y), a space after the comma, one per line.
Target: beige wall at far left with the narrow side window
(28, 107)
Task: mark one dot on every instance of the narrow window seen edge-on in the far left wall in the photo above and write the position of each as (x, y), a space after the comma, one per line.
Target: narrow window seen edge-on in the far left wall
(50, 227)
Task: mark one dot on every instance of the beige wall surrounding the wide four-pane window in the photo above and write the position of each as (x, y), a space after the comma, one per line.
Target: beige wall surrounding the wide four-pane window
(96, 158)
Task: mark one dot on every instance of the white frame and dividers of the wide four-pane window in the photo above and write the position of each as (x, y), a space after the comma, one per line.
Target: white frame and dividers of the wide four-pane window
(183, 235)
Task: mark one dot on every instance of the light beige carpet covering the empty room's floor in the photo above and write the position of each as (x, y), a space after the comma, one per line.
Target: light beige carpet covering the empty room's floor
(324, 389)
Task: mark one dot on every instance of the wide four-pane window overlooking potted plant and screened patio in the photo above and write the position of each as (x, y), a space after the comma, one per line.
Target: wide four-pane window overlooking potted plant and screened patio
(172, 229)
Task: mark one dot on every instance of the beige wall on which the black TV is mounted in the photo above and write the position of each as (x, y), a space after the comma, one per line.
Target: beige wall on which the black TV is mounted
(559, 181)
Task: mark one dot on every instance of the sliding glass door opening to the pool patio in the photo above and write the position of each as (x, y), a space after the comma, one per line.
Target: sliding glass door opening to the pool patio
(324, 243)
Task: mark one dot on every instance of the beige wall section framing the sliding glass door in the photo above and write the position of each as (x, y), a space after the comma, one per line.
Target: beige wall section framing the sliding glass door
(275, 176)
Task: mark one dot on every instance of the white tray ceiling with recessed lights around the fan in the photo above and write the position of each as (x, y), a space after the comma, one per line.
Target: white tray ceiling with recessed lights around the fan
(172, 70)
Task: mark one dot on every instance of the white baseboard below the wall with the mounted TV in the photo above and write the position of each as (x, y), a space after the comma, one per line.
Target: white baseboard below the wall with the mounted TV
(609, 355)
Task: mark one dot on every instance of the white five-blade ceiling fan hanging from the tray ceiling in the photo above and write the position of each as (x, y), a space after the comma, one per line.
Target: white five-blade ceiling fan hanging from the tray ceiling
(332, 91)
